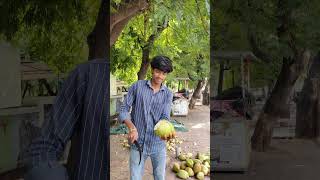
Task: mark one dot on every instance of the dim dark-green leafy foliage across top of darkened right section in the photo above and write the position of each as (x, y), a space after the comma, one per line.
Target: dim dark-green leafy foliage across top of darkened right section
(274, 24)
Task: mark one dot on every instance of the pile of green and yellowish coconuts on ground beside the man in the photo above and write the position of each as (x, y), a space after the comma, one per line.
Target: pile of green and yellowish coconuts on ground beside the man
(197, 167)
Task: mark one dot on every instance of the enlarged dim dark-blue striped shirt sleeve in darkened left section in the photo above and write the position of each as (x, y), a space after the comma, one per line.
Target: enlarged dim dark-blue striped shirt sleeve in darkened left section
(64, 115)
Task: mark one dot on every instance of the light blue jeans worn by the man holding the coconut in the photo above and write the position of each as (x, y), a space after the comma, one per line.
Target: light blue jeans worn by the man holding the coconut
(158, 160)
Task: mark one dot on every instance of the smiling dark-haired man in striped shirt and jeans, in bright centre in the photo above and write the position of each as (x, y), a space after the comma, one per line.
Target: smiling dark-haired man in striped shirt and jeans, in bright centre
(150, 101)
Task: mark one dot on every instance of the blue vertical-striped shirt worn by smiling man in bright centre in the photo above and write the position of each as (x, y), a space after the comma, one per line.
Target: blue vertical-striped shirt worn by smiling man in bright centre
(147, 109)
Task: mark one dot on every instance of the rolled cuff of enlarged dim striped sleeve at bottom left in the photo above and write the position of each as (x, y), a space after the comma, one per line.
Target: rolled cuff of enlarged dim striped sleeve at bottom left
(47, 171)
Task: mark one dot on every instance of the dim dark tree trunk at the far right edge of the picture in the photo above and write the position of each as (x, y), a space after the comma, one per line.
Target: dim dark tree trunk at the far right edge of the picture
(307, 121)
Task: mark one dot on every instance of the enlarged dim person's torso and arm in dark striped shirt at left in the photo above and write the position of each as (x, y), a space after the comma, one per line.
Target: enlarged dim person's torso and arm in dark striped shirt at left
(81, 109)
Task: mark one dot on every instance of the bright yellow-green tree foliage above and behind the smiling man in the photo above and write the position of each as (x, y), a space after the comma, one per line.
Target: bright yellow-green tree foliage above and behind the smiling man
(185, 39)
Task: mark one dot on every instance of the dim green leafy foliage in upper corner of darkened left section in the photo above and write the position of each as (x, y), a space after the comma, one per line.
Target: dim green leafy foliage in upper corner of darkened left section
(54, 32)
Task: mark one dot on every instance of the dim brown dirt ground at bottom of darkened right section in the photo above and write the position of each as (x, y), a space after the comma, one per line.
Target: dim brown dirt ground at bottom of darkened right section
(294, 159)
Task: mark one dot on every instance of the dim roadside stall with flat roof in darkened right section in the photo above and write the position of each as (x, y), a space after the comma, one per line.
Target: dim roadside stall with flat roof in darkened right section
(230, 133)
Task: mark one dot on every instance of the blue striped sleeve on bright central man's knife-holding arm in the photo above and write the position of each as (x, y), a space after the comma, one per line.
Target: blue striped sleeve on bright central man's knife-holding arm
(124, 113)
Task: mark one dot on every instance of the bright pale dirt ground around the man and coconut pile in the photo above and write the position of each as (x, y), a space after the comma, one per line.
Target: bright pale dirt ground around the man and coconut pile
(195, 140)
